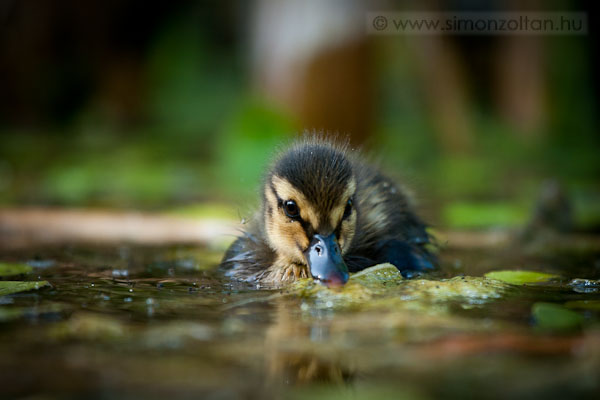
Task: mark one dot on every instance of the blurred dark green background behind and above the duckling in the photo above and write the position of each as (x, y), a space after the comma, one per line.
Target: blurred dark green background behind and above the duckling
(131, 105)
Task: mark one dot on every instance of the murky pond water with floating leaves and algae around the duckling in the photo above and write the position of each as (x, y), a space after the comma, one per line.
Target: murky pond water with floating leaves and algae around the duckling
(130, 322)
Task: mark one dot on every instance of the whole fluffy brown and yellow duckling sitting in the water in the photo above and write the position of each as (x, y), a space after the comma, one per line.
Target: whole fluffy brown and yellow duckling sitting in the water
(325, 213)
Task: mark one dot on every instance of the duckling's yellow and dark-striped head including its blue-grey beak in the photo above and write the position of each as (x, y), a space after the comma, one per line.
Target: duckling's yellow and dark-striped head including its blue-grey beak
(308, 209)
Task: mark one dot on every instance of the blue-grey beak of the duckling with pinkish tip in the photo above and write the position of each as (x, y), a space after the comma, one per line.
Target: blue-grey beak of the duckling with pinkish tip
(325, 261)
